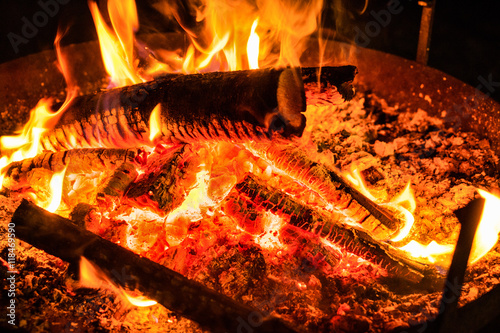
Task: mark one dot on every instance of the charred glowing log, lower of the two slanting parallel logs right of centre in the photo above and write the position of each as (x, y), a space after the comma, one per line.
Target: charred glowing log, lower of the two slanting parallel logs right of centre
(260, 196)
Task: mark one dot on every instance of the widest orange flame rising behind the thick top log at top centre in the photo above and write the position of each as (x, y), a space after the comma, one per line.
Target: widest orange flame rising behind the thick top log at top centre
(223, 34)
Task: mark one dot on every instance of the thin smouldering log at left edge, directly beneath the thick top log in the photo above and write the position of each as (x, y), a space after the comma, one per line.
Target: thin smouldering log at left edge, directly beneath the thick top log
(83, 160)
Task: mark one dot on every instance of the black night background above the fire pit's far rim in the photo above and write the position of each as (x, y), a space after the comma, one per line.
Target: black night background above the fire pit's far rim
(465, 40)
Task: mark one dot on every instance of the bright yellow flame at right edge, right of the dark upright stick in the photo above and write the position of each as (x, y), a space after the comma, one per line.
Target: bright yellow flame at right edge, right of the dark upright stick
(489, 226)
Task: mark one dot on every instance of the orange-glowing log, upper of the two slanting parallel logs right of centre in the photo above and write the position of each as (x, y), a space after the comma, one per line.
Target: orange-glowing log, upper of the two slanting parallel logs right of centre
(330, 187)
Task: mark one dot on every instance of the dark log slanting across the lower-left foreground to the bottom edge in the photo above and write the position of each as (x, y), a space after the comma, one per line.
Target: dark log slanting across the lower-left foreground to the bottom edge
(60, 237)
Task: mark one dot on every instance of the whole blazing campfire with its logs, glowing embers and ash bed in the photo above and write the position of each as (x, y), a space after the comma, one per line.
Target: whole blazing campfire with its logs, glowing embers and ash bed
(249, 180)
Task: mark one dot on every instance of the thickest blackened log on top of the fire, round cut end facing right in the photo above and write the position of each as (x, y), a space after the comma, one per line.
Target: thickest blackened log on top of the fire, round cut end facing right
(236, 106)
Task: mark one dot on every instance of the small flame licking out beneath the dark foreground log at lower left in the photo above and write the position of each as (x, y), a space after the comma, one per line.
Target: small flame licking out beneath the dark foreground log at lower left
(92, 277)
